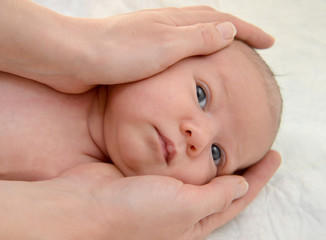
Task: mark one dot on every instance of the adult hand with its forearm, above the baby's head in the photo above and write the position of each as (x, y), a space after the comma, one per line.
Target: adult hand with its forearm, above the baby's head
(74, 54)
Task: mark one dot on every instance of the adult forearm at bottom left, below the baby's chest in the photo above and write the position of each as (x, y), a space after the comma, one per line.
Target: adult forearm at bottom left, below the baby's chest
(43, 210)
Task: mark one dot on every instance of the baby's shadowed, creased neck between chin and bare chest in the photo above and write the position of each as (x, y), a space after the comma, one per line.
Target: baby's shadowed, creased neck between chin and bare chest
(96, 118)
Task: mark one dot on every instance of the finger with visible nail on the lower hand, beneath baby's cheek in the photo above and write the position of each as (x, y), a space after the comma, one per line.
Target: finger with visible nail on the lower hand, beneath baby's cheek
(215, 196)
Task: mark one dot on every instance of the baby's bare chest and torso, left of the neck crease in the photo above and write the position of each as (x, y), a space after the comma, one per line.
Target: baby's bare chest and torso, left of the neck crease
(44, 132)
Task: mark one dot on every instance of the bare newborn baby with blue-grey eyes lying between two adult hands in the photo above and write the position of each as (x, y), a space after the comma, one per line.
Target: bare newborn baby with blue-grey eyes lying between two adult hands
(202, 117)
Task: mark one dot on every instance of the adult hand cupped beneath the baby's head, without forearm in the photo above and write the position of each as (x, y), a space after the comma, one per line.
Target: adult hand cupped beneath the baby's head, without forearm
(156, 207)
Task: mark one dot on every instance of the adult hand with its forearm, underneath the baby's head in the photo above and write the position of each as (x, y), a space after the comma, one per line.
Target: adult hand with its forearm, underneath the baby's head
(94, 201)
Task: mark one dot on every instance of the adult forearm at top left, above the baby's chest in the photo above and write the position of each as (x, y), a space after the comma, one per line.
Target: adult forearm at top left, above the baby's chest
(40, 44)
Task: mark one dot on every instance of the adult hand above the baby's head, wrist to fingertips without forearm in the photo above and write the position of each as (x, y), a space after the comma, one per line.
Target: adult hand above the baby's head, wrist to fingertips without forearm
(134, 46)
